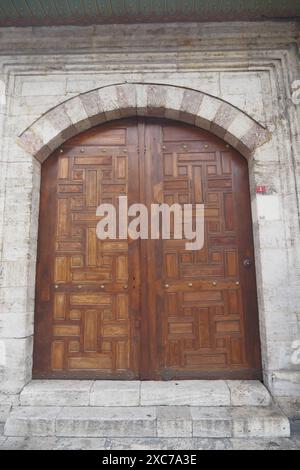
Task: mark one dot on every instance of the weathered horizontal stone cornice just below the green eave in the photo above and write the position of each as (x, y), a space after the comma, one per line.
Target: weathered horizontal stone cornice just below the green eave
(146, 37)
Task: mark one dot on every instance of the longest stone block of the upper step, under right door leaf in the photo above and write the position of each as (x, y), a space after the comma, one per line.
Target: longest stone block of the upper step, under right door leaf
(187, 392)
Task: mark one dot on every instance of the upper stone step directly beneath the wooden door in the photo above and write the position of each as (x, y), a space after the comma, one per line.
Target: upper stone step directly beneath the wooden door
(137, 393)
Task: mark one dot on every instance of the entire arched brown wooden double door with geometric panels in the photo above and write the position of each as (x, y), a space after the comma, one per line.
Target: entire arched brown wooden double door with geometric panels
(145, 309)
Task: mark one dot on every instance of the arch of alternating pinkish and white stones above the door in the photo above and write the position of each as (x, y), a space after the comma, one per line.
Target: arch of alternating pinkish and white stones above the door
(142, 99)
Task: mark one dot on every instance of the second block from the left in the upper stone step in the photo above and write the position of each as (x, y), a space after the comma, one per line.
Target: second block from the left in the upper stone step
(115, 393)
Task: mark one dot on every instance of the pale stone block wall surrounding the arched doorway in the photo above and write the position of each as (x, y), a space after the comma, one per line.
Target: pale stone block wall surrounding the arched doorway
(252, 66)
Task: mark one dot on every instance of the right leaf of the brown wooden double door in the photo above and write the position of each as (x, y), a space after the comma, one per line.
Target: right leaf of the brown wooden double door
(200, 313)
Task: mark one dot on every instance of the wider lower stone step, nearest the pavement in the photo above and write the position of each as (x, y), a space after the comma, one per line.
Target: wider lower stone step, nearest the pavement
(150, 422)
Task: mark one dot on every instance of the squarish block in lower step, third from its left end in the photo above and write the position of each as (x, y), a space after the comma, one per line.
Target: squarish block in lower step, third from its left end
(174, 421)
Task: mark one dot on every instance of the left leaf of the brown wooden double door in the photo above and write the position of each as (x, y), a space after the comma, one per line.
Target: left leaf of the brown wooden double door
(83, 326)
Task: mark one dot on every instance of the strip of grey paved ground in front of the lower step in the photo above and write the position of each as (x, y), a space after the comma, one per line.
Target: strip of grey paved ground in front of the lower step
(44, 443)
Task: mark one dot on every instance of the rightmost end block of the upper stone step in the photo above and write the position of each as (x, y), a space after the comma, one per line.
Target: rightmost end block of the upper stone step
(248, 393)
